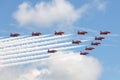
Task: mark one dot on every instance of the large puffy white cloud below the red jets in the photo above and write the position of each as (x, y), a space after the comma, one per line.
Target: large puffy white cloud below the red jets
(65, 67)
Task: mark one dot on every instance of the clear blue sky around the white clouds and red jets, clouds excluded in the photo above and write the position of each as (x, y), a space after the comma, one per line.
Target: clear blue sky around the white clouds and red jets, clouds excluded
(94, 18)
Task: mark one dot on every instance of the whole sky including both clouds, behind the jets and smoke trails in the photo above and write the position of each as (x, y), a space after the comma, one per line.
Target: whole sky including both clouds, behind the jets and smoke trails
(47, 16)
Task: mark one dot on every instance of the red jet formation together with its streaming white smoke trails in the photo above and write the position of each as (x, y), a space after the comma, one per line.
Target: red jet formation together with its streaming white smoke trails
(18, 49)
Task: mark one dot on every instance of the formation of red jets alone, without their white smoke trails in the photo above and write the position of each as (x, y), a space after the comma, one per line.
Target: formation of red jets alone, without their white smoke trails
(73, 41)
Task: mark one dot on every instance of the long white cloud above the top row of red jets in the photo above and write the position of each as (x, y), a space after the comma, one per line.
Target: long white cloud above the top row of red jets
(46, 14)
